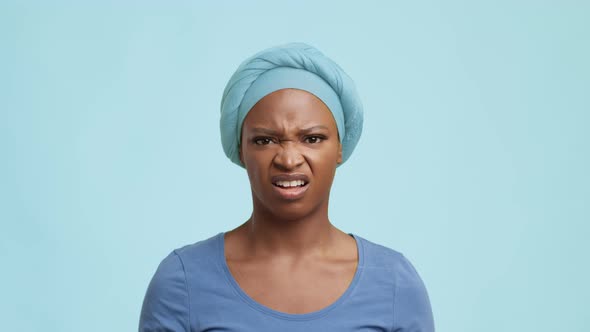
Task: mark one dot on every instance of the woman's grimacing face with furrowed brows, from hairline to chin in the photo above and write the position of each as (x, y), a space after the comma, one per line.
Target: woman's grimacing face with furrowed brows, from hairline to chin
(290, 148)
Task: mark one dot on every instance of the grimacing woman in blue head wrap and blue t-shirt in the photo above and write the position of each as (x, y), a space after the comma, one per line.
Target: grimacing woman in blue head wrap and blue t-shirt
(289, 116)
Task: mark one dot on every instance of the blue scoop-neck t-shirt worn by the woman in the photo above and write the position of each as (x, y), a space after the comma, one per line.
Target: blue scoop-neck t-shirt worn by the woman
(193, 290)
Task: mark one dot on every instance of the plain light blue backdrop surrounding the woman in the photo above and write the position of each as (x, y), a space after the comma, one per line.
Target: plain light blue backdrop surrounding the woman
(473, 162)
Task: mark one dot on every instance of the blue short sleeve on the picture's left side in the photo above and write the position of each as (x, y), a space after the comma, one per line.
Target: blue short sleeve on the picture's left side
(166, 304)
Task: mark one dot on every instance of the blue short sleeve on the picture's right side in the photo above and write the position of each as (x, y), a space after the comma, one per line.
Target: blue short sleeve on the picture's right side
(412, 310)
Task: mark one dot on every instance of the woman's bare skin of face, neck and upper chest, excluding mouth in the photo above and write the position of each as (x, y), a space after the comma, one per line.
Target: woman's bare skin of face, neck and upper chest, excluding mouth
(288, 256)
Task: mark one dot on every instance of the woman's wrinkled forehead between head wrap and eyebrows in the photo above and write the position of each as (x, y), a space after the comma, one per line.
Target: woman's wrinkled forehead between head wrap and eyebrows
(289, 108)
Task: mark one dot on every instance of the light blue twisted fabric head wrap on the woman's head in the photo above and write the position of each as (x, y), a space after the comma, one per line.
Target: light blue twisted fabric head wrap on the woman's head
(297, 66)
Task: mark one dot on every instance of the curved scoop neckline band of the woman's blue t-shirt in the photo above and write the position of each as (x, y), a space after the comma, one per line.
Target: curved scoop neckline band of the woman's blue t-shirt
(220, 241)
